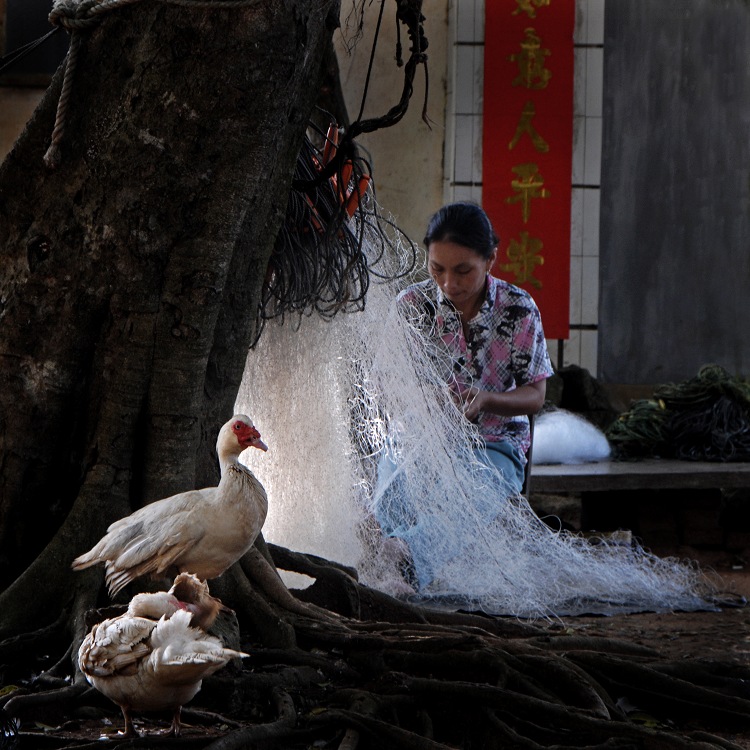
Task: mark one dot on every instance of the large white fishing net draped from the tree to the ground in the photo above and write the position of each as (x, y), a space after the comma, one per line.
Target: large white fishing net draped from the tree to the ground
(339, 399)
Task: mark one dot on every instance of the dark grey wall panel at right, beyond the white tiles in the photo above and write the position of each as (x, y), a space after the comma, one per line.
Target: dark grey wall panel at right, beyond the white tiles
(675, 212)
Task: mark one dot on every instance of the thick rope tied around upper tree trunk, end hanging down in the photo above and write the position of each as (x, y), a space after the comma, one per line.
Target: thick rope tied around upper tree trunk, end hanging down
(77, 16)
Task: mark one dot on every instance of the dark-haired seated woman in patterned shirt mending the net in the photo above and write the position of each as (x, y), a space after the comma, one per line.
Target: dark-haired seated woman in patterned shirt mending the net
(493, 336)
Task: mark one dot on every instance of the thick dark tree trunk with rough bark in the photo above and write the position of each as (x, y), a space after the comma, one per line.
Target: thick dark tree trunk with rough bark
(131, 273)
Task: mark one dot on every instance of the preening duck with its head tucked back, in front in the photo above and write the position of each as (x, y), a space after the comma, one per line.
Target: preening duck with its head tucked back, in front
(144, 664)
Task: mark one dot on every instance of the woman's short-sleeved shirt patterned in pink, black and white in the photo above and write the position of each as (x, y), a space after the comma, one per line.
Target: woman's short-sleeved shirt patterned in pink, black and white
(504, 349)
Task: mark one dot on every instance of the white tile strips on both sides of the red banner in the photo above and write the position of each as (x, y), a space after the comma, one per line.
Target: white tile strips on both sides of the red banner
(463, 161)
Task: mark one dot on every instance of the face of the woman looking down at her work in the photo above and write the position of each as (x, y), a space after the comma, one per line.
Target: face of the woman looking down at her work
(460, 272)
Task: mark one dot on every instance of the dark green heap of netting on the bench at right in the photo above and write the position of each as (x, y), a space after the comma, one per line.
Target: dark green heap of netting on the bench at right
(705, 418)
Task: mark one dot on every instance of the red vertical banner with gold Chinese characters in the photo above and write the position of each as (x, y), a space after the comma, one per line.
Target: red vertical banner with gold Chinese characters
(527, 148)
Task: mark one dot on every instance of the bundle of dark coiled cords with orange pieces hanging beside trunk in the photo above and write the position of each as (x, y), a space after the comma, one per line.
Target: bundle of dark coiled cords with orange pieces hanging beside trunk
(318, 264)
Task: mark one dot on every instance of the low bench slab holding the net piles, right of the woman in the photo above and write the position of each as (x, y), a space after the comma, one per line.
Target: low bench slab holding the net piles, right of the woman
(651, 474)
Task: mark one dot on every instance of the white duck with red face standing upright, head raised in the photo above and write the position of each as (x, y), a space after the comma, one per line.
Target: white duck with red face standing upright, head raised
(200, 531)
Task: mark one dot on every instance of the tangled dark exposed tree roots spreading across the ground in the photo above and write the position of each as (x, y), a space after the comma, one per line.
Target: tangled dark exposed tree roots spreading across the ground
(408, 677)
